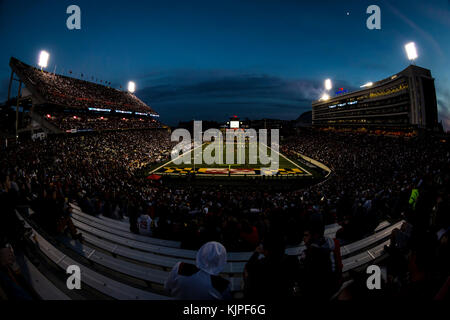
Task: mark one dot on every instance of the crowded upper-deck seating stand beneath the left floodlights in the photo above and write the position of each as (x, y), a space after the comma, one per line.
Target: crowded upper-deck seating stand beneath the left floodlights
(59, 90)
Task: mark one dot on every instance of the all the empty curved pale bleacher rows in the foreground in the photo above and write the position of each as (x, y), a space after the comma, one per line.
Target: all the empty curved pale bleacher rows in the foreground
(120, 265)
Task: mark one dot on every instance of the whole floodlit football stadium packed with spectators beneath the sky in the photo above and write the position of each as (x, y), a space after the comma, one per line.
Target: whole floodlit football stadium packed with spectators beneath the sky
(90, 183)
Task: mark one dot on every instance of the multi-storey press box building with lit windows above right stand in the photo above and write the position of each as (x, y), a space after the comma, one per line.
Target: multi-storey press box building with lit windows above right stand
(406, 100)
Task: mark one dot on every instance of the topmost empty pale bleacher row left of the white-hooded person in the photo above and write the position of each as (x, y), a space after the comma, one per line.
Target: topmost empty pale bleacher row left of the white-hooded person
(93, 221)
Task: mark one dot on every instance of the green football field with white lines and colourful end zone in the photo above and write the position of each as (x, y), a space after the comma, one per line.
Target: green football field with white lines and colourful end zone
(234, 159)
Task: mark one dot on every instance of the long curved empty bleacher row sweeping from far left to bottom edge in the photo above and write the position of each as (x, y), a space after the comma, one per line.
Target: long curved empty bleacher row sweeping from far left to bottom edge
(107, 286)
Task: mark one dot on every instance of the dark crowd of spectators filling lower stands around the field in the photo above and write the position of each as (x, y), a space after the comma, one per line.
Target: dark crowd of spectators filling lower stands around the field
(373, 178)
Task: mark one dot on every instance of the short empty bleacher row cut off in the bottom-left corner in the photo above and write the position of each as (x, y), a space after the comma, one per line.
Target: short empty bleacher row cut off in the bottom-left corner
(43, 287)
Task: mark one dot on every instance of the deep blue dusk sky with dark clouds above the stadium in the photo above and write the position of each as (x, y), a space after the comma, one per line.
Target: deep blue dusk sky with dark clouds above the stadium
(209, 60)
